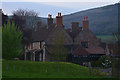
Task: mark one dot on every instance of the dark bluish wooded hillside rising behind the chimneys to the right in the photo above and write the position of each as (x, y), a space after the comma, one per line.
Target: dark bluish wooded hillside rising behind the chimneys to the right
(103, 20)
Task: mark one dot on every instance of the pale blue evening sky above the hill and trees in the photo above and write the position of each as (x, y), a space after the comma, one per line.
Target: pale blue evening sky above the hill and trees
(53, 7)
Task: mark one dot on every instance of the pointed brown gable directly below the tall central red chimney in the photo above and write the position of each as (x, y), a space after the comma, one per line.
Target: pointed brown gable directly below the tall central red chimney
(58, 33)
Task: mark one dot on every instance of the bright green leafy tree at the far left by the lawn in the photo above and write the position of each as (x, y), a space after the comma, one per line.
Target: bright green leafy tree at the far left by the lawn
(11, 41)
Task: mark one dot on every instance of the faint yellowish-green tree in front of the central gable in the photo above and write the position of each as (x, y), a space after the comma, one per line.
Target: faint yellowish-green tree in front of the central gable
(58, 51)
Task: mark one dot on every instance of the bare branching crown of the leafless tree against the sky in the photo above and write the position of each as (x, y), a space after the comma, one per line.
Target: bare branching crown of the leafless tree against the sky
(26, 16)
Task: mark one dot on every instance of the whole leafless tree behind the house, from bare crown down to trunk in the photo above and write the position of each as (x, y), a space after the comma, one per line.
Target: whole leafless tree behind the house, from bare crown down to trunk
(26, 20)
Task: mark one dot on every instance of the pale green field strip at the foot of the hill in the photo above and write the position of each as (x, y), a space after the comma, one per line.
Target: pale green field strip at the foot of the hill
(107, 38)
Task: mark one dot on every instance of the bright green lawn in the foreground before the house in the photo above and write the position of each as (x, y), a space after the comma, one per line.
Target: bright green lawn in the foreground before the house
(29, 69)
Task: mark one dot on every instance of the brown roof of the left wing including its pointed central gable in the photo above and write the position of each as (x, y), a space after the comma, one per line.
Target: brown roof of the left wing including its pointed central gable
(49, 34)
